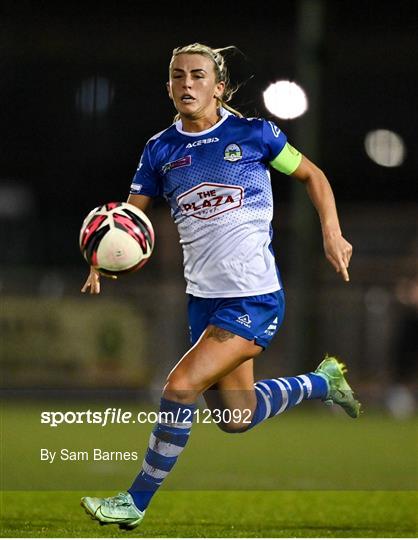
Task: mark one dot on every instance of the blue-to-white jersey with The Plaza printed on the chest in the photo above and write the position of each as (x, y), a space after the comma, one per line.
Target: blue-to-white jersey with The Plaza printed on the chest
(217, 183)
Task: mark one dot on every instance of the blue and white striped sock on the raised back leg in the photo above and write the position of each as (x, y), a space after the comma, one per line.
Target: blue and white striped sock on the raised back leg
(275, 396)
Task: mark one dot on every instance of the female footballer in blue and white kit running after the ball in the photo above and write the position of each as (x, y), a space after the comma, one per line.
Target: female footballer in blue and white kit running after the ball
(212, 167)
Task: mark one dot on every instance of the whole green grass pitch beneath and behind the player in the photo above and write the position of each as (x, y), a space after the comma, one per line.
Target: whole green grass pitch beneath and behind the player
(312, 472)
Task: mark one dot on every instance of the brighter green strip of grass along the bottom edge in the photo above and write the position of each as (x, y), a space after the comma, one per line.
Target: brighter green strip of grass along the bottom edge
(254, 514)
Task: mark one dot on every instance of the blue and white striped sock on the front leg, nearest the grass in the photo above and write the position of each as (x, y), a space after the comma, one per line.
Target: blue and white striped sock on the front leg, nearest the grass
(166, 443)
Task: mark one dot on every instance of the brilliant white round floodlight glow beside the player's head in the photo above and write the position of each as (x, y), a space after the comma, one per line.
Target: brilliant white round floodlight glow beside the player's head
(285, 99)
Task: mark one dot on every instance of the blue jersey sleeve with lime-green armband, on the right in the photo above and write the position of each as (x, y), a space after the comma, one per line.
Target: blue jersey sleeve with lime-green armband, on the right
(280, 154)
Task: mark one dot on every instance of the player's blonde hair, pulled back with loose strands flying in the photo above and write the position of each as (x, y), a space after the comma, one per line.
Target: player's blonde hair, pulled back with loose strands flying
(221, 70)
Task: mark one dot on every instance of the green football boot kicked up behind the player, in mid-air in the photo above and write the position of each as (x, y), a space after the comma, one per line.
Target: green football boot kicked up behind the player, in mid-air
(339, 391)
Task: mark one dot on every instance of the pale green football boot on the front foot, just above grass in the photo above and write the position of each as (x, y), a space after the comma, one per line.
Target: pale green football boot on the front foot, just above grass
(119, 510)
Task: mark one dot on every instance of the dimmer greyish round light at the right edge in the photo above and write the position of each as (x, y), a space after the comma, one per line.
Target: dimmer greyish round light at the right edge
(384, 147)
